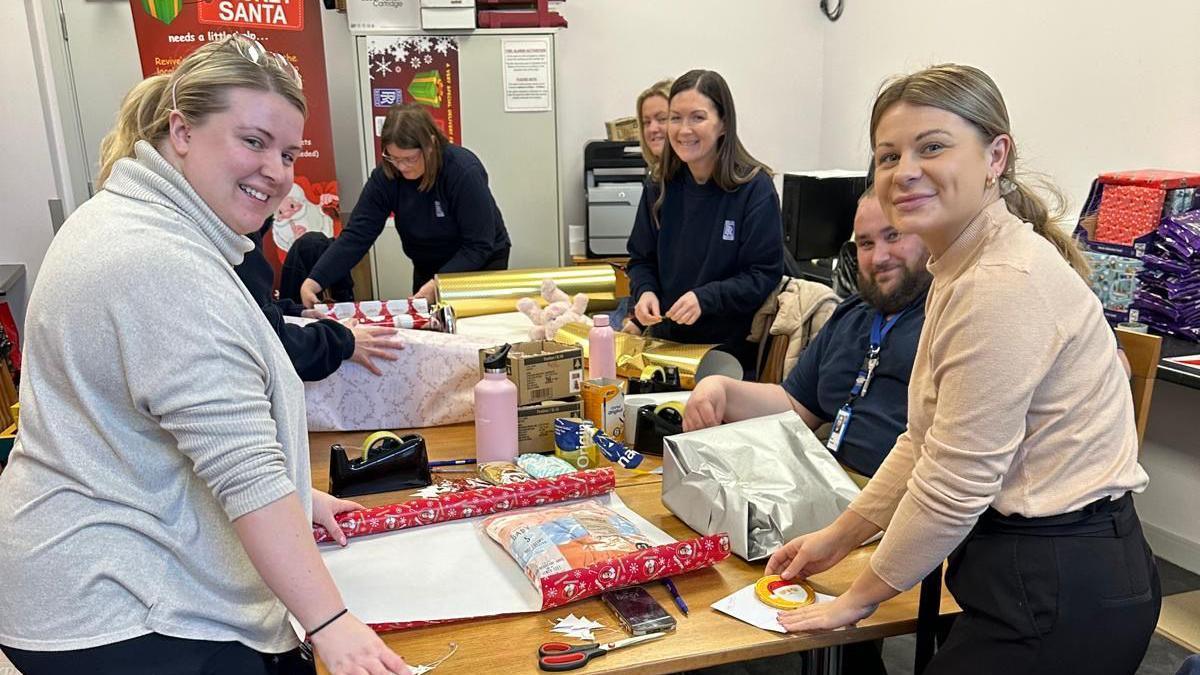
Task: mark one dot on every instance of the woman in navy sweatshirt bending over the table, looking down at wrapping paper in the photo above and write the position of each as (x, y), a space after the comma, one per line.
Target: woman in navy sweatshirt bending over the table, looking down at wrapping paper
(446, 214)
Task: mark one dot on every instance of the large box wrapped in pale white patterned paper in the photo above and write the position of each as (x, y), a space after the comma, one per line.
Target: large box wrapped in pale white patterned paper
(430, 384)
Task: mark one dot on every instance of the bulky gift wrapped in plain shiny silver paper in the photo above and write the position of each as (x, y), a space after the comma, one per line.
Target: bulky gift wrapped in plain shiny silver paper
(764, 481)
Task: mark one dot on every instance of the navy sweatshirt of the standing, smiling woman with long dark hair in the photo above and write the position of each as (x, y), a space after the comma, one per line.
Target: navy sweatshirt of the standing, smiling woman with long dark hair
(727, 247)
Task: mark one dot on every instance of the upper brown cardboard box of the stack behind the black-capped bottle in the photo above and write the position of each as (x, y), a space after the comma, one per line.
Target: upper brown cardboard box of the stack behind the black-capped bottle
(543, 371)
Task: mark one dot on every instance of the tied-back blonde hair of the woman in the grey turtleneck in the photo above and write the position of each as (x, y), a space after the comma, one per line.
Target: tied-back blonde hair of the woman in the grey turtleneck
(197, 89)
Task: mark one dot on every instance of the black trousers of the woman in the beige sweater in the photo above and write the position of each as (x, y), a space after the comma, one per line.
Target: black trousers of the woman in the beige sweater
(1077, 593)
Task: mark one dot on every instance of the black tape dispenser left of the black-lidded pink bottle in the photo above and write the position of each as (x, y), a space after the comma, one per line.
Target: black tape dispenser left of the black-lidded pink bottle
(388, 463)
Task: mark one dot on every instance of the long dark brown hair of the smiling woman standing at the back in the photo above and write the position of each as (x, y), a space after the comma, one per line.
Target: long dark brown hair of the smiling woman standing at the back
(735, 166)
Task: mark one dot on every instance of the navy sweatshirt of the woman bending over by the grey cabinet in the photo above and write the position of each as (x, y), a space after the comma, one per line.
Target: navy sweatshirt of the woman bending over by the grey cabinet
(455, 226)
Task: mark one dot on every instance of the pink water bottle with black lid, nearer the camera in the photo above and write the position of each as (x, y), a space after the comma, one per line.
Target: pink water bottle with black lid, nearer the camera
(496, 411)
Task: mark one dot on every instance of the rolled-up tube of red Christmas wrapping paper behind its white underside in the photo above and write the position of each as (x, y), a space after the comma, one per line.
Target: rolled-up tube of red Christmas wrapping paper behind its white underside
(455, 506)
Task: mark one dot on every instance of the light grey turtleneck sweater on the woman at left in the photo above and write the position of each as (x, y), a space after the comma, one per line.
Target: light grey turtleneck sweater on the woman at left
(158, 407)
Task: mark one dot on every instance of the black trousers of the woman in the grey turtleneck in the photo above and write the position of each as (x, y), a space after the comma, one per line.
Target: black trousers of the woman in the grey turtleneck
(160, 655)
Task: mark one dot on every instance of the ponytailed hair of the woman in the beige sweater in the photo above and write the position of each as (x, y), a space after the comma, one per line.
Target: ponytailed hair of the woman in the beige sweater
(970, 94)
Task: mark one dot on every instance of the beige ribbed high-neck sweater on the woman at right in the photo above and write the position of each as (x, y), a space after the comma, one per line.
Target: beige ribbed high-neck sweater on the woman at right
(1017, 402)
